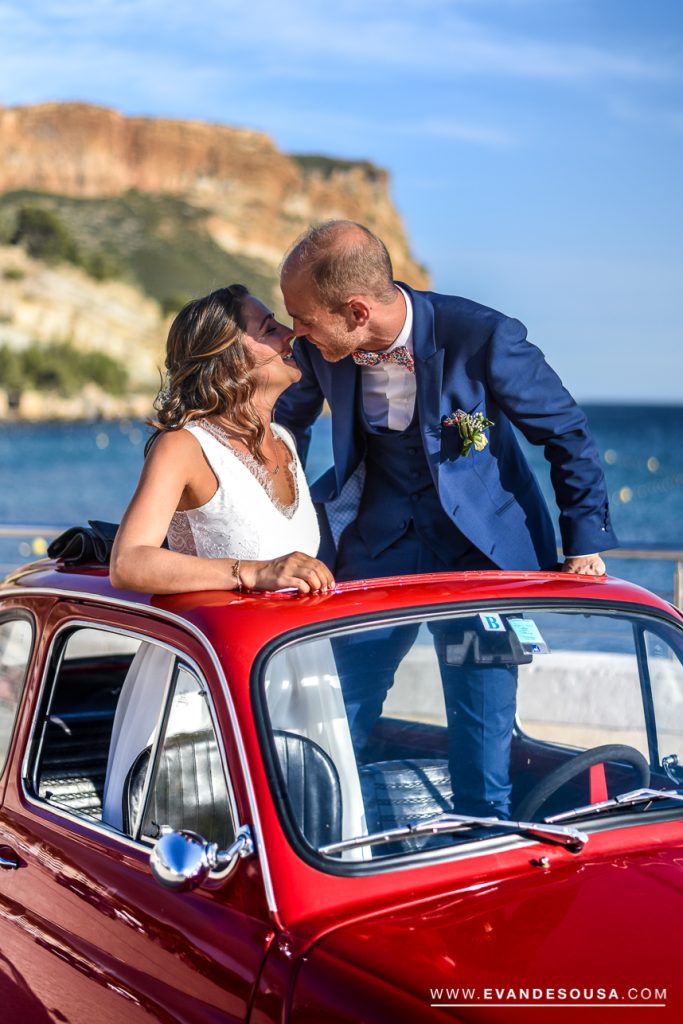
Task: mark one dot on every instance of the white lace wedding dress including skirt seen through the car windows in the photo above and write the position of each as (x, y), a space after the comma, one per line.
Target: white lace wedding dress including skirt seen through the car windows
(244, 520)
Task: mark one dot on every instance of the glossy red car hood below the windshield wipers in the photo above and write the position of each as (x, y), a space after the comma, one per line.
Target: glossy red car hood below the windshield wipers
(599, 930)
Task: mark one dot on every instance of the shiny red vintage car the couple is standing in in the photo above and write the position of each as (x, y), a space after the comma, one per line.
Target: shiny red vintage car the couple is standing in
(189, 832)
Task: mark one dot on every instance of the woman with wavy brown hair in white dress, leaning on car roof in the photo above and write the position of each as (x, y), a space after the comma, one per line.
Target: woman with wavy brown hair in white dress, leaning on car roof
(222, 482)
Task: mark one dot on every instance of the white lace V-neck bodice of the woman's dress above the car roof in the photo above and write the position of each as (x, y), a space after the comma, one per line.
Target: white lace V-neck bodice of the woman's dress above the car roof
(244, 519)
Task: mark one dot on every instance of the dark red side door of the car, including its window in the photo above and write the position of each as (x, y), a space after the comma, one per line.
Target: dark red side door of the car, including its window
(87, 932)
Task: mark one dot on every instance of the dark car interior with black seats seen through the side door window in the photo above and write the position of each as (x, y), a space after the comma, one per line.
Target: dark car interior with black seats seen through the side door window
(180, 783)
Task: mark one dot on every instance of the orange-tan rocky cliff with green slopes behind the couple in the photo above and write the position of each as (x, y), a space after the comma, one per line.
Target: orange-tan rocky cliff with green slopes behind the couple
(176, 207)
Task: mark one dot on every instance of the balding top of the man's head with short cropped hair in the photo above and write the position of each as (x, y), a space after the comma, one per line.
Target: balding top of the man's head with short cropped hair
(339, 260)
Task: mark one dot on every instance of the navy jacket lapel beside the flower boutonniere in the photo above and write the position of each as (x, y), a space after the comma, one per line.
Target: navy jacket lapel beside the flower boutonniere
(429, 378)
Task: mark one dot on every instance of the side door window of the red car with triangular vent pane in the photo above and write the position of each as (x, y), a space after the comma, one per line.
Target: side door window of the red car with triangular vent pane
(104, 711)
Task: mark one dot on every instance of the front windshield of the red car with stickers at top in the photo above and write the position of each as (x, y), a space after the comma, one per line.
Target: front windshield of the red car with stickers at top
(519, 714)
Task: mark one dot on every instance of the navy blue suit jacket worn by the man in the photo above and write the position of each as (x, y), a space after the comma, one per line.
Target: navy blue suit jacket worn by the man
(472, 358)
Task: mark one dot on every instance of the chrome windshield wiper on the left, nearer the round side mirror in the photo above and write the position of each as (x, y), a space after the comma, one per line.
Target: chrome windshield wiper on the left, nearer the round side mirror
(573, 839)
